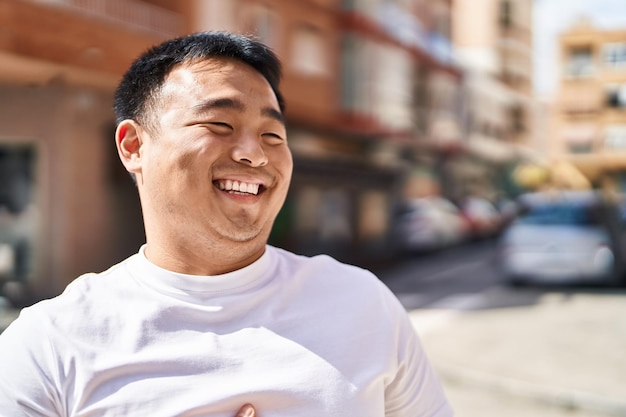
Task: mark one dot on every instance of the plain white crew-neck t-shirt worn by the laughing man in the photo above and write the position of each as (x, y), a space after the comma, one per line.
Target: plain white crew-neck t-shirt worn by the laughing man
(293, 335)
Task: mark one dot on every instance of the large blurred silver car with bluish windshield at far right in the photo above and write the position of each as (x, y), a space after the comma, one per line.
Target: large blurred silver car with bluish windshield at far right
(564, 237)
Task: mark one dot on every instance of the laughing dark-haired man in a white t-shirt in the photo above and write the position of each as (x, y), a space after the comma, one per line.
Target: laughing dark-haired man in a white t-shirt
(207, 319)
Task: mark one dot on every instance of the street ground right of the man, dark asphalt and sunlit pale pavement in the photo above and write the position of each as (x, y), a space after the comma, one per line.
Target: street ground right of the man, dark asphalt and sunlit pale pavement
(504, 351)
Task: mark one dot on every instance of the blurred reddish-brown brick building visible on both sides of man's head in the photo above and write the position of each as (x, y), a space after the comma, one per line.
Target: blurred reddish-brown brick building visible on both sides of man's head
(374, 113)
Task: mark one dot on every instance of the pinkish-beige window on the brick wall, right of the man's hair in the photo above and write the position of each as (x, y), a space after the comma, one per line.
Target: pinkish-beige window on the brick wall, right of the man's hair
(308, 52)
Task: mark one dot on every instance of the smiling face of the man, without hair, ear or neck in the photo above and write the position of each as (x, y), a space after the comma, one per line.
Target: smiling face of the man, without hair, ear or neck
(217, 167)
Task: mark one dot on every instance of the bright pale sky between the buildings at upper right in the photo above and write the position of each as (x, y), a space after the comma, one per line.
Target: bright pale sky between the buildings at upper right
(554, 16)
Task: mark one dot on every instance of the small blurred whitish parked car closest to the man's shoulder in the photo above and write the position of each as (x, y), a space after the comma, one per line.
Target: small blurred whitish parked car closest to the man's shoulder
(427, 224)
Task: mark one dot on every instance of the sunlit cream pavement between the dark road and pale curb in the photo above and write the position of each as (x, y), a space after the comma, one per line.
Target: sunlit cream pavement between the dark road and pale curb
(568, 350)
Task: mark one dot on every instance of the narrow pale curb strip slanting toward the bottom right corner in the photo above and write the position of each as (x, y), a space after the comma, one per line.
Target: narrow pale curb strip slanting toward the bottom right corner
(559, 397)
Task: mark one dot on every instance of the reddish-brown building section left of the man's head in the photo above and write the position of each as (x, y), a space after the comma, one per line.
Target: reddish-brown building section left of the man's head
(66, 206)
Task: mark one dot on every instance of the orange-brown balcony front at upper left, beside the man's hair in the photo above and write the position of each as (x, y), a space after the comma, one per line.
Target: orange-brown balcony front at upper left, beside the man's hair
(90, 40)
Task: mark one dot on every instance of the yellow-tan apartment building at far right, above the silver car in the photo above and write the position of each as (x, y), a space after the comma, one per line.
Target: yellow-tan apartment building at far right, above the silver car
(590, 111)
